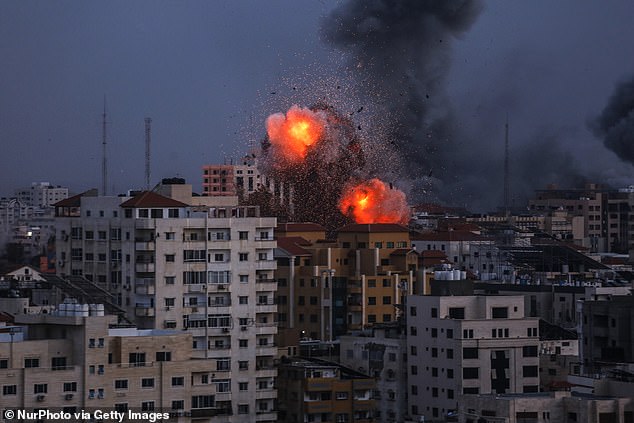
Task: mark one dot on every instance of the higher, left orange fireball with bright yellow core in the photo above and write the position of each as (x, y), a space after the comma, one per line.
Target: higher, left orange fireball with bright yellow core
(292, 134)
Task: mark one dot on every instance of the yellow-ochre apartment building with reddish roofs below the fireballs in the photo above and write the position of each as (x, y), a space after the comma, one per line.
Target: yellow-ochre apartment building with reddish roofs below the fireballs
(328, 288)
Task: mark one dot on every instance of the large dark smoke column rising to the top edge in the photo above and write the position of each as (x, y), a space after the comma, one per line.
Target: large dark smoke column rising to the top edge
(400, 49)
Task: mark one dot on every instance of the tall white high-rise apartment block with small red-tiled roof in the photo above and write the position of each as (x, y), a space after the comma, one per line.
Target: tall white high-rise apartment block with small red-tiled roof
(188, 264)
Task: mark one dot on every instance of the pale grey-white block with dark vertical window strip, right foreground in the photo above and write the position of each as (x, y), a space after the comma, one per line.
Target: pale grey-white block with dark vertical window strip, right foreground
(468, 345)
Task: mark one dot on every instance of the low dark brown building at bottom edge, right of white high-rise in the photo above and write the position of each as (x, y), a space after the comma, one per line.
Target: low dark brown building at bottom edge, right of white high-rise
(319, 391)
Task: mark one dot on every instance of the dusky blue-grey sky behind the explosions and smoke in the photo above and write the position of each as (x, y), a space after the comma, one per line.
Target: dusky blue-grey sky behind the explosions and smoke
(209, 73)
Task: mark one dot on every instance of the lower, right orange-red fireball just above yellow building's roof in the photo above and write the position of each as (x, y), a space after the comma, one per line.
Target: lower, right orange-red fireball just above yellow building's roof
(374, 202)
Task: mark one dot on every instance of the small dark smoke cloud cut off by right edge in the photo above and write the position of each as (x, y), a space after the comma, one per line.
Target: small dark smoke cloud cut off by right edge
(616, 122)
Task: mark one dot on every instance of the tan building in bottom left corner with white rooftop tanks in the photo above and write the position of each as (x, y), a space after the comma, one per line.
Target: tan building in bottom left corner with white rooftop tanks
(77, 362)
